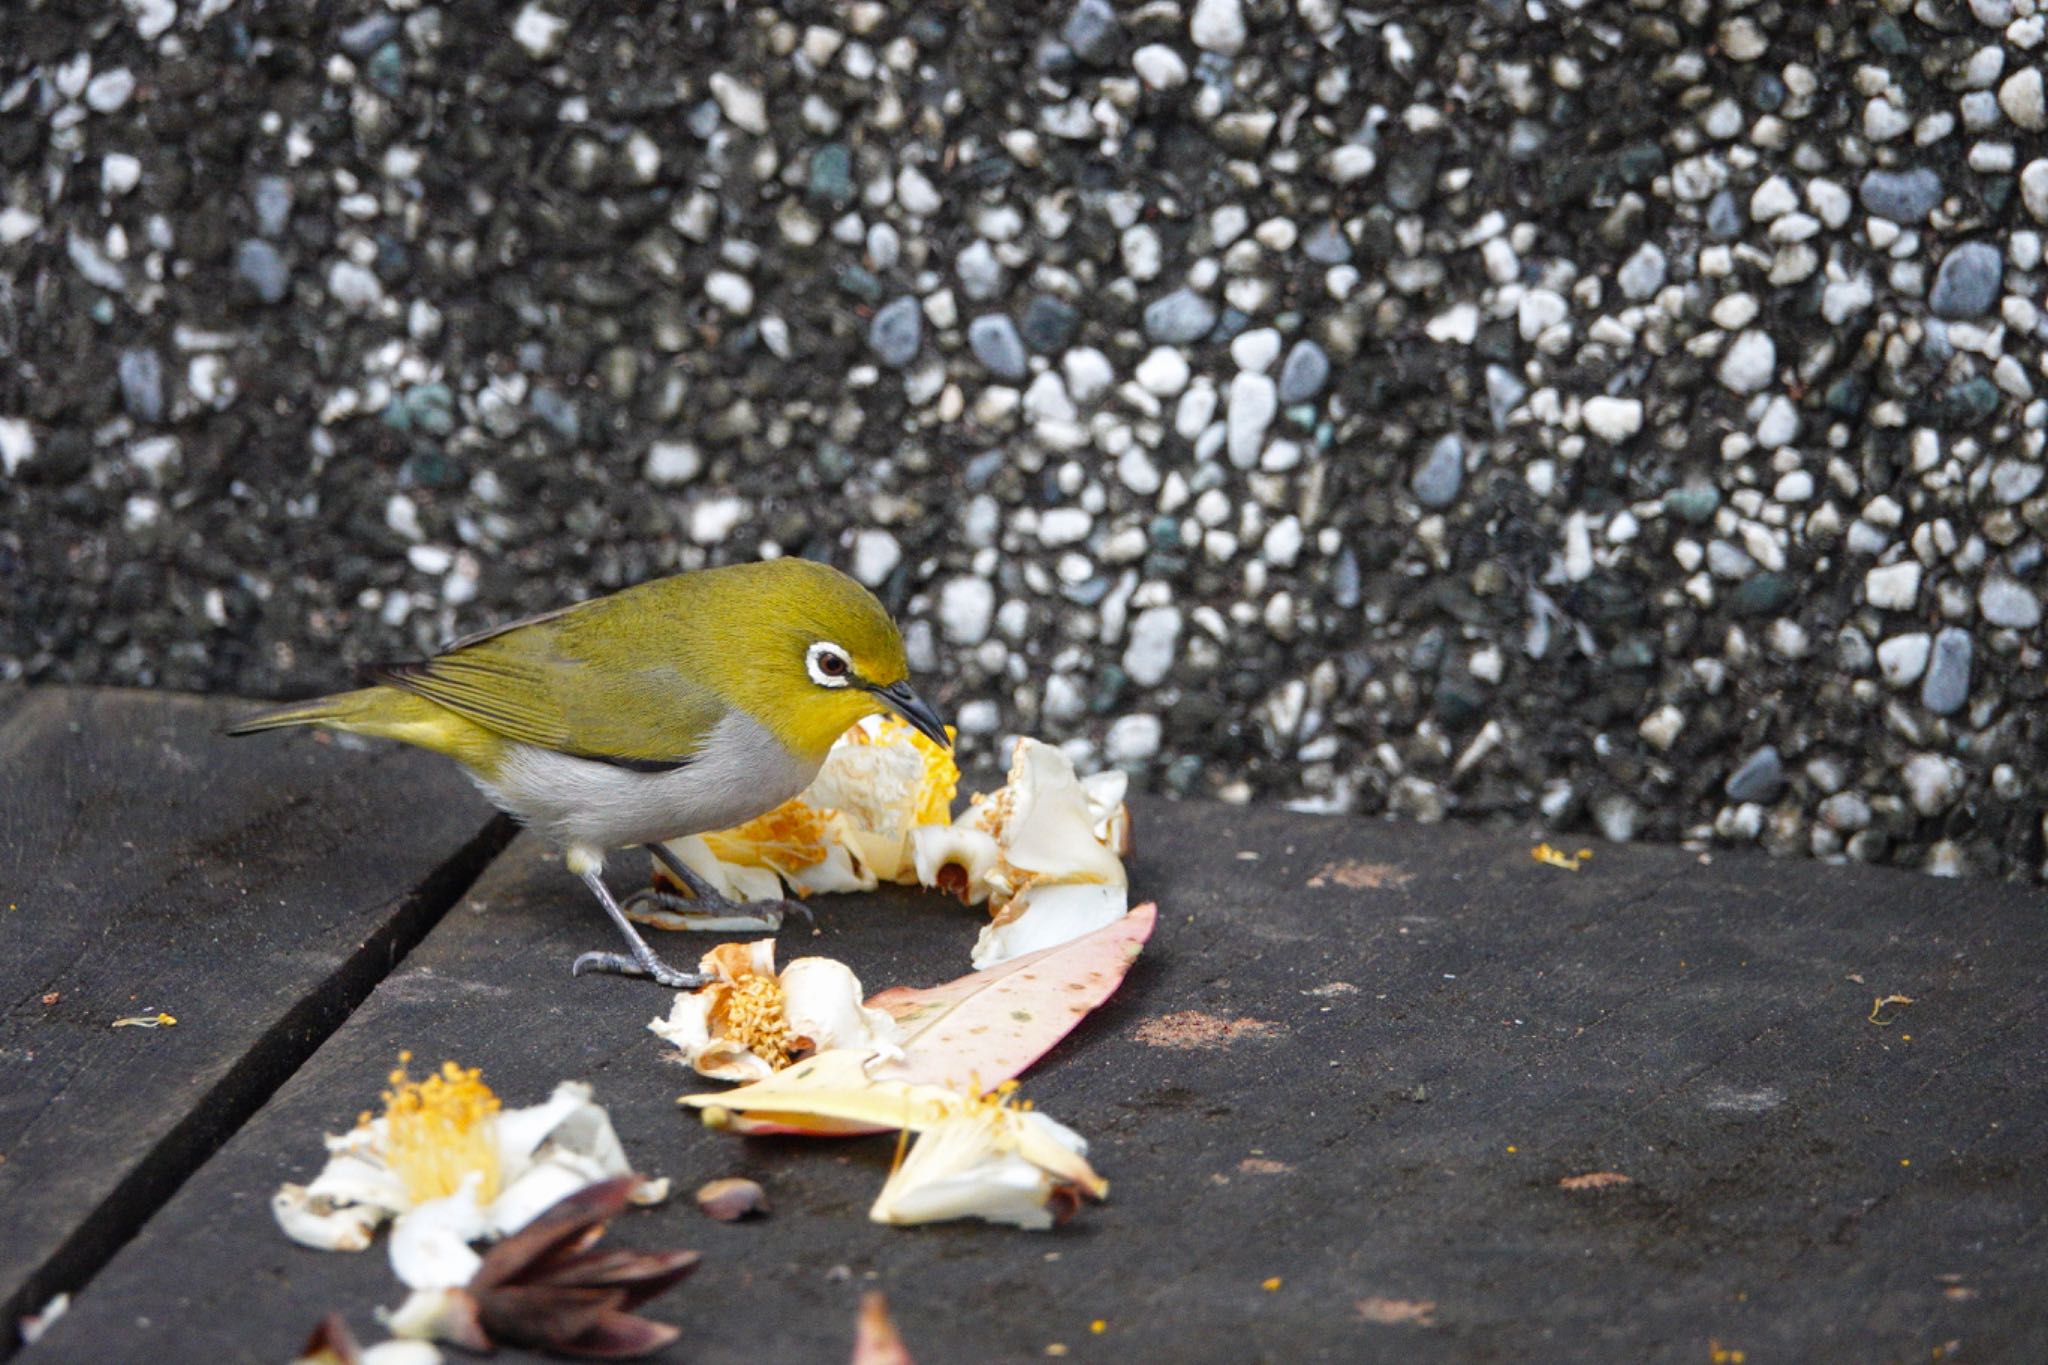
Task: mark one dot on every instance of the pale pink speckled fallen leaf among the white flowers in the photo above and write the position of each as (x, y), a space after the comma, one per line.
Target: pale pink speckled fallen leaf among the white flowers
(992, 1026)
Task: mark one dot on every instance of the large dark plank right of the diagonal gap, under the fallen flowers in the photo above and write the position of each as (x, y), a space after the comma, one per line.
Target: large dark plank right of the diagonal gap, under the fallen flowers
(1424, 1034)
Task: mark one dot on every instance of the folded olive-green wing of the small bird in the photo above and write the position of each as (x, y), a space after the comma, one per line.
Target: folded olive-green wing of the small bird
(562, 687)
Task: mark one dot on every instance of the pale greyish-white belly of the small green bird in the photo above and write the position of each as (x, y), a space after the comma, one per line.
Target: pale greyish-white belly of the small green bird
(579, 803)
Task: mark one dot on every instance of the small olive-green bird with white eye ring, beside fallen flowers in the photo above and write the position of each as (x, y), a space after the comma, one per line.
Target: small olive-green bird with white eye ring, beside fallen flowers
(671, 709)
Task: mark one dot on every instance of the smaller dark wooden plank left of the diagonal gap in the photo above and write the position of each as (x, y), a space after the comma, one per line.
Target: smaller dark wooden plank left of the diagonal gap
(255, 891)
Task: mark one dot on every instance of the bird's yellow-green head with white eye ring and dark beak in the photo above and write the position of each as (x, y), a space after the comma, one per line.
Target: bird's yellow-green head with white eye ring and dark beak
(833, 658)
